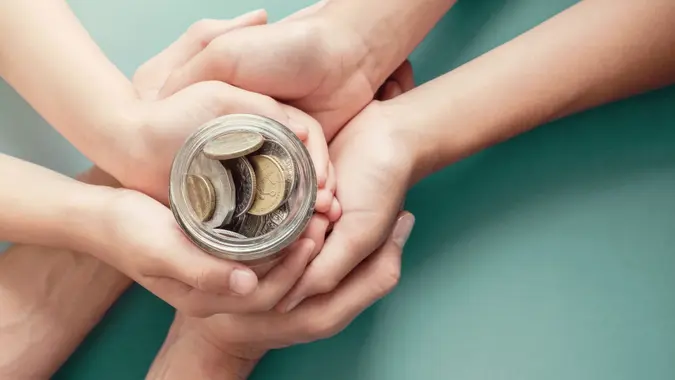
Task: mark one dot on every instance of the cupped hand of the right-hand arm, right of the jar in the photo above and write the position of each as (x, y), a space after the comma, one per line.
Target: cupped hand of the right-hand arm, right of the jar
(374, 163)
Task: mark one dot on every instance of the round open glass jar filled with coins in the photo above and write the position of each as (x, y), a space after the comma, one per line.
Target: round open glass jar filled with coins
(243, 187)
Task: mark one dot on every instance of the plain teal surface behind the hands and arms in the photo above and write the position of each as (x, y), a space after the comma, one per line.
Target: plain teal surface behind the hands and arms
(550, 256)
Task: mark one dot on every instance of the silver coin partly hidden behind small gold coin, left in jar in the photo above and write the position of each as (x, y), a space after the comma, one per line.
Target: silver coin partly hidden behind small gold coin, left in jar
(223, 184)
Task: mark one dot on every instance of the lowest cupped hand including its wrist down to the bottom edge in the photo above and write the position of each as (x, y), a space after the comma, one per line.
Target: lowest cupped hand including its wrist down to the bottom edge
(233, 343)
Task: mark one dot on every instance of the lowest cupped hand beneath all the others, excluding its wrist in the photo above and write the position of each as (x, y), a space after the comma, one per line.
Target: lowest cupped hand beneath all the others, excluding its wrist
(249, 336)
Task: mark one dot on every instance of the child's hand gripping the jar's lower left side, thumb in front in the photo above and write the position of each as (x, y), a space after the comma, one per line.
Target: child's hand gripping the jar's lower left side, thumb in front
(139, 236)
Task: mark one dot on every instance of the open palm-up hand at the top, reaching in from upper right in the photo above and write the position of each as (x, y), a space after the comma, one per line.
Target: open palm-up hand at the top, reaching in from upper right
(310, 62)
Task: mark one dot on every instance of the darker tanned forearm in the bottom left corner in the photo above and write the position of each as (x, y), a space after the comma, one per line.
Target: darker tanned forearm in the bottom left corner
(50, 299)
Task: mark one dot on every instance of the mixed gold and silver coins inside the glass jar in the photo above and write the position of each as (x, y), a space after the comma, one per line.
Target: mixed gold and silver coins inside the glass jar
(246, 196)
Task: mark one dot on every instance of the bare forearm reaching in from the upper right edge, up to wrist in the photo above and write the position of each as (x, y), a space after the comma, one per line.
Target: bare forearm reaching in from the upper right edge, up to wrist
(593, 53)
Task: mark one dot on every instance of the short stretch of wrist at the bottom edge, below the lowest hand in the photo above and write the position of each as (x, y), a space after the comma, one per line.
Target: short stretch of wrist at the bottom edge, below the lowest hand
(186, 356)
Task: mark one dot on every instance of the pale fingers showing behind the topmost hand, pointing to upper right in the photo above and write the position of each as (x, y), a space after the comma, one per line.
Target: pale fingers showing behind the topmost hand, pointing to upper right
(150, 77)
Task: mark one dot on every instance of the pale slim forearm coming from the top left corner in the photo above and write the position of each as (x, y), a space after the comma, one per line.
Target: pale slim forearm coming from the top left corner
(49, 58)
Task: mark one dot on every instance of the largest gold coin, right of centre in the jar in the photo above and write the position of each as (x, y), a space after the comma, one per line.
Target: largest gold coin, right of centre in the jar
(271, 185)
